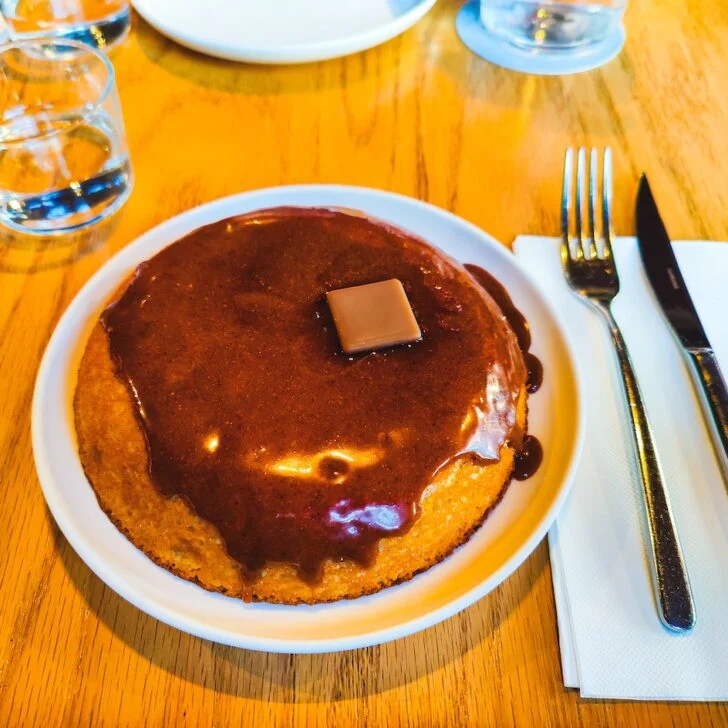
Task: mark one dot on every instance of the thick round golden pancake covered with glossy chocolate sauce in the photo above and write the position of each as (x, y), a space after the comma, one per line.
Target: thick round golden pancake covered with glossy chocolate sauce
(224, 522)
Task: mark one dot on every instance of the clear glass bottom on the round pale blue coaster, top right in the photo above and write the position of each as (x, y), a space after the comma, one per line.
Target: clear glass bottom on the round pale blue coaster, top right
(552, 24)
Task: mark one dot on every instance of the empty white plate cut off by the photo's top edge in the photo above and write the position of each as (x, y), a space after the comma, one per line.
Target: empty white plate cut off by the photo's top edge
(281, 31)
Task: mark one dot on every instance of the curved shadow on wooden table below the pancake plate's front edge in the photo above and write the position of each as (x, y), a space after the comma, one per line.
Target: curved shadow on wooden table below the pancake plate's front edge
(279, 678)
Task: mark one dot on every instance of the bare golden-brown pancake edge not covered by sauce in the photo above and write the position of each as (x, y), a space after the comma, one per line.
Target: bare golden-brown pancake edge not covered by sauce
(114, 456)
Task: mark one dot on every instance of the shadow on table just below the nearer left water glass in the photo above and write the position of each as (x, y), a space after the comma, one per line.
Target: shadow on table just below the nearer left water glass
(23, 253)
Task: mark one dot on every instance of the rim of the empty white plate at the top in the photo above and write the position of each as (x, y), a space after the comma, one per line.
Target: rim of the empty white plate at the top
(291, 53)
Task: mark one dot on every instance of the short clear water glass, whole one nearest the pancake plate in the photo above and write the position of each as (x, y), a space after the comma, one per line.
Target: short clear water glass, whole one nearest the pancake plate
(63, 157)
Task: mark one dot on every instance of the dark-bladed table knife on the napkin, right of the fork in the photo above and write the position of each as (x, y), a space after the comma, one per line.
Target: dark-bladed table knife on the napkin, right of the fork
(672, 293)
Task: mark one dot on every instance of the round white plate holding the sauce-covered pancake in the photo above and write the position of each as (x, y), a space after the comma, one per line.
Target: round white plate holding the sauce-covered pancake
(499, 546)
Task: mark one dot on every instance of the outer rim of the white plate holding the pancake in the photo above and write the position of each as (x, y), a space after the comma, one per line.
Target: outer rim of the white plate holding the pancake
(85, 550)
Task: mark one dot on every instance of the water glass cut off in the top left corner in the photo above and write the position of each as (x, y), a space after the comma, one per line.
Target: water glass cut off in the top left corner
(102, 23)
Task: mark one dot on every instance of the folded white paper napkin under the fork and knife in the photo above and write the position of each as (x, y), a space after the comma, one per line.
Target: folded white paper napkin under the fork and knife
(612, 642)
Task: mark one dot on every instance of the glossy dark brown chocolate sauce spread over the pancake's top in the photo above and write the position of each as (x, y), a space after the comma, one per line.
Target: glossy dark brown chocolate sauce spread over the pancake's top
(252, 413)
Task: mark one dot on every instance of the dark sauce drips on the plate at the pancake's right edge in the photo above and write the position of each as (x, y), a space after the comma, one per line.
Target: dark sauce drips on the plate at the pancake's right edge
(530, 452)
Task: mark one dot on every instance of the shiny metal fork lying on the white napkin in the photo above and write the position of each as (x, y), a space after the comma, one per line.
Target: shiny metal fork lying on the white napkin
(592, 275)
